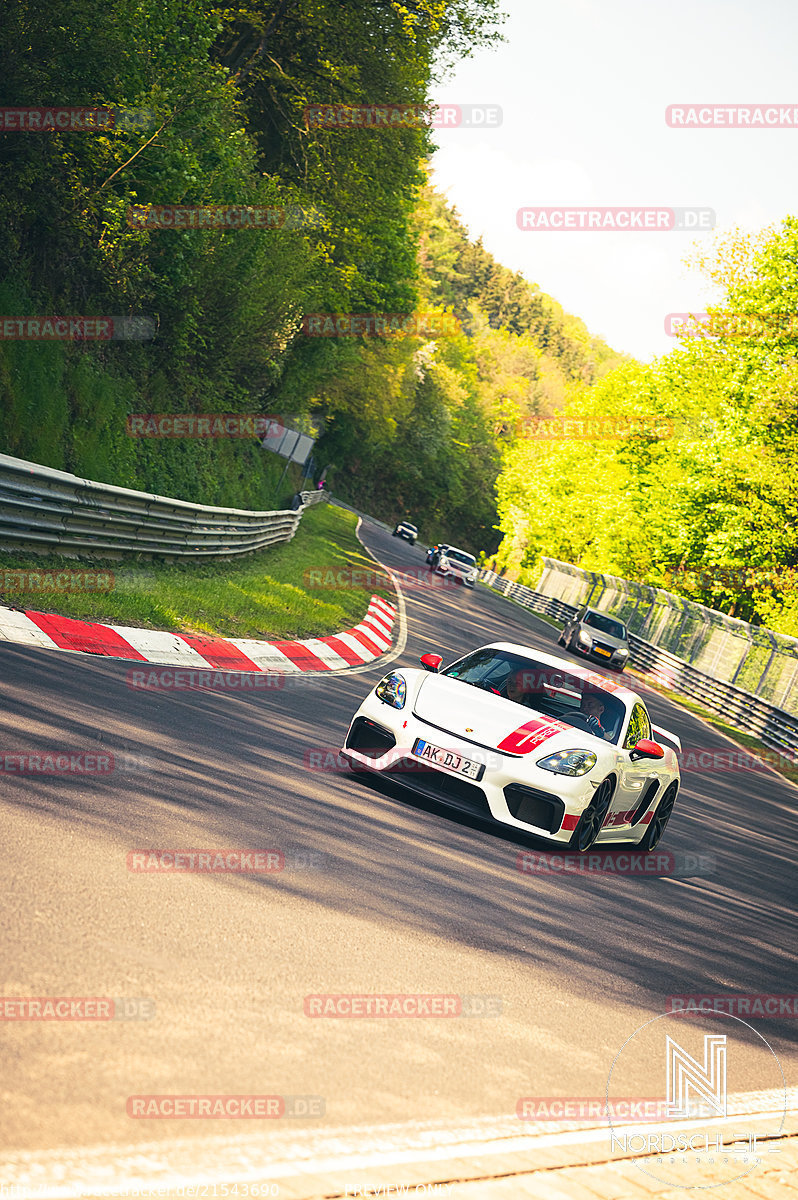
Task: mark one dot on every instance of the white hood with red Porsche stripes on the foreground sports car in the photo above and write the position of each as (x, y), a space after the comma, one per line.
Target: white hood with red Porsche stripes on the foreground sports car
(494, 722)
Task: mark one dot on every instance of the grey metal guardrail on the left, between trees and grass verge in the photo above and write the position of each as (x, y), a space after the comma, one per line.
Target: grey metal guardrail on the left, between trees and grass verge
(51, 511)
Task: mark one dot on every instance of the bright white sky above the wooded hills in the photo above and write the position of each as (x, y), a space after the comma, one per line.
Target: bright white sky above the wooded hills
(584, 87)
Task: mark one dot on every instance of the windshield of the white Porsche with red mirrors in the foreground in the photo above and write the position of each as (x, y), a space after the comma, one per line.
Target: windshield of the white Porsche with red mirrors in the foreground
(548, 691)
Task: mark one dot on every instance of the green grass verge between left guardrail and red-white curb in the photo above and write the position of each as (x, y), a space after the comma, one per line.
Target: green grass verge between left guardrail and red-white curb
(267, 595)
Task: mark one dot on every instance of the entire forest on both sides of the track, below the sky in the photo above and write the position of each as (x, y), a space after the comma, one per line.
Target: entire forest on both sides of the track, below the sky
(424, 425)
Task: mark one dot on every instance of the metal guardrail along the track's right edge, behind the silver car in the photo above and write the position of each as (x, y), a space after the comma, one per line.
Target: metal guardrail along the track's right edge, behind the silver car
(773, 727)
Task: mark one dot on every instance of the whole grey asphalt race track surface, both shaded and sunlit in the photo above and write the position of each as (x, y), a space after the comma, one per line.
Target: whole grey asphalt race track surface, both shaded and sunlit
(381, 893)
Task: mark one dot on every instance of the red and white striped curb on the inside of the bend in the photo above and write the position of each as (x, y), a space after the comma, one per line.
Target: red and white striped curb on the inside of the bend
(352, 649)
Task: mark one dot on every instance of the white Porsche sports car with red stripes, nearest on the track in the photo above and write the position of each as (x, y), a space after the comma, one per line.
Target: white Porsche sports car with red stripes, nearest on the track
(527, 740)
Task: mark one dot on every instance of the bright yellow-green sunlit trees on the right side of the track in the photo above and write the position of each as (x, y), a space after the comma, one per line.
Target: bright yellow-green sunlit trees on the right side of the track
(700, 494)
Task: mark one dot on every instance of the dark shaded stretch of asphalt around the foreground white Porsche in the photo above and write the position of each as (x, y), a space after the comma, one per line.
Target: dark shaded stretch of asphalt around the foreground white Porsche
(232, 770)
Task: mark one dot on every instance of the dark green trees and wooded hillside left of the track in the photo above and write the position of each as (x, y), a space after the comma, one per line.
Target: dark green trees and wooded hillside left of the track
(409, 423)
